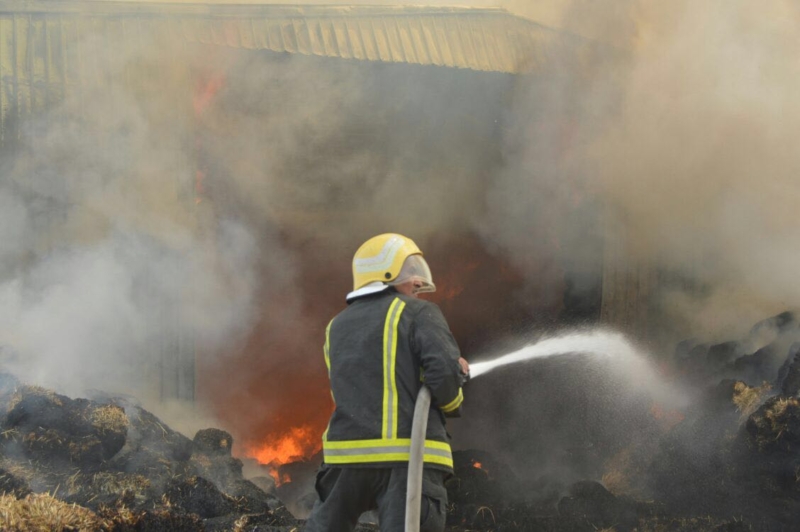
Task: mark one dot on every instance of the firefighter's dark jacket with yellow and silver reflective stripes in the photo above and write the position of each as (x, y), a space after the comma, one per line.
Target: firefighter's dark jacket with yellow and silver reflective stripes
(379, 350)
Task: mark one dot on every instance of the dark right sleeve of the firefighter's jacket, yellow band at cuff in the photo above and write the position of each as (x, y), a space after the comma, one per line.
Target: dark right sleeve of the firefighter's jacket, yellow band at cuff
(439, 355)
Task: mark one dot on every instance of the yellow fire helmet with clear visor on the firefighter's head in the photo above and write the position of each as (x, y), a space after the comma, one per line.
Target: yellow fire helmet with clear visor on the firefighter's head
(391, 259)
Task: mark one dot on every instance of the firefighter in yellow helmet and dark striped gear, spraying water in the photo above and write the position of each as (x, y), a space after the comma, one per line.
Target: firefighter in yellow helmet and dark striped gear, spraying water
(380, 351)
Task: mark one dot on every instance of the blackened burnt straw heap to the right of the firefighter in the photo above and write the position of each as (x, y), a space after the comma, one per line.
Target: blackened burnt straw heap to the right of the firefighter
(730, 461)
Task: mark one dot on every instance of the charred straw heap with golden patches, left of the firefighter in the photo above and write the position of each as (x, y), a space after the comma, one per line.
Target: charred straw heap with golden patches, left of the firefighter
(108, 464)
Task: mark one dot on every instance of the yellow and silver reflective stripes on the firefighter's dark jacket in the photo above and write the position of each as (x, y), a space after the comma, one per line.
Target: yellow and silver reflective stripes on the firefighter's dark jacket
(389, 448)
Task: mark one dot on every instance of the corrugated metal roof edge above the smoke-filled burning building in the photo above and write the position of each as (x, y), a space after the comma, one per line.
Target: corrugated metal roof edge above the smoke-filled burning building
(477, 39)
